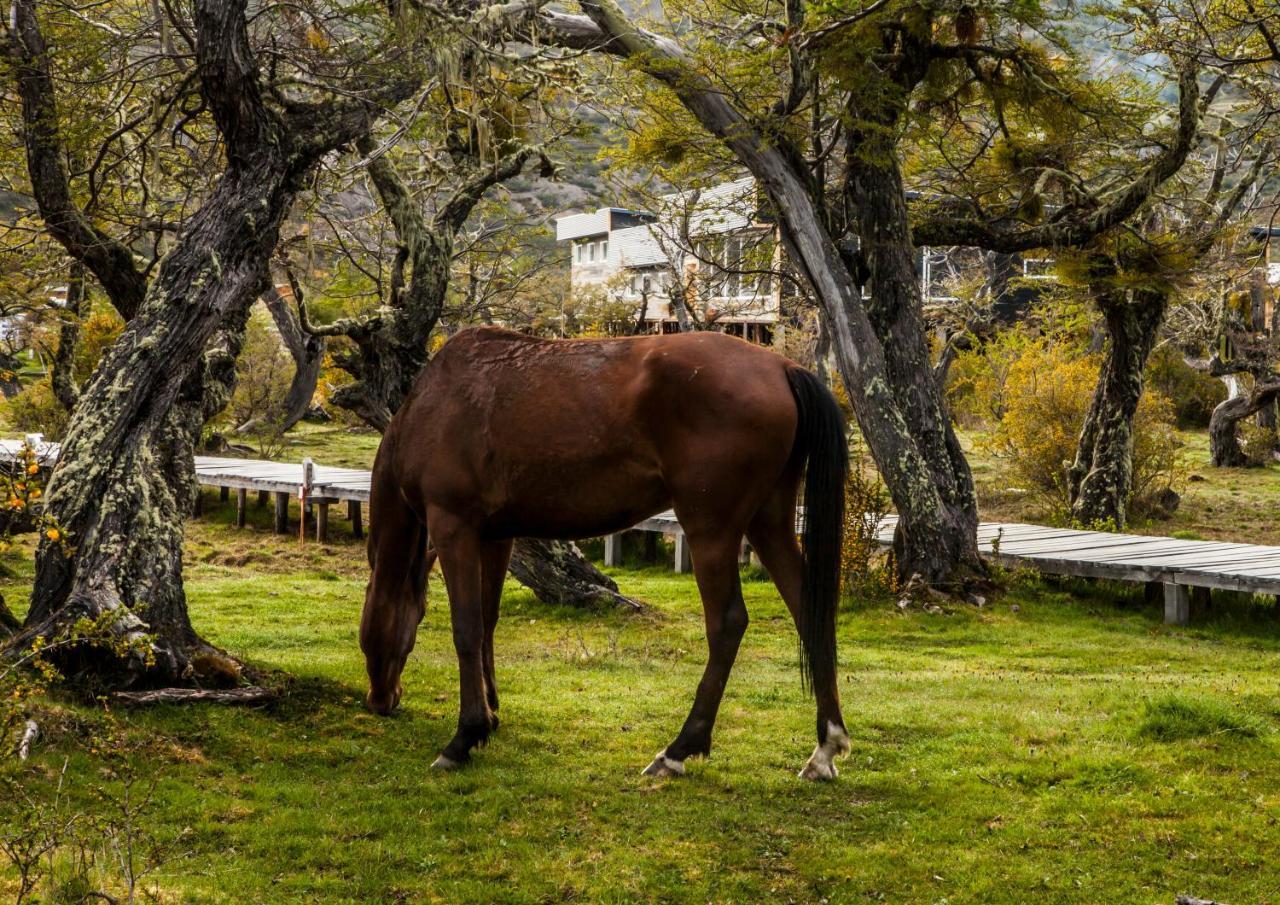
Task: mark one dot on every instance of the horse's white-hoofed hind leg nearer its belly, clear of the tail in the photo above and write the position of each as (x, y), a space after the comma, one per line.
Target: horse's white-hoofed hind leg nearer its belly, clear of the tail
(716, 572)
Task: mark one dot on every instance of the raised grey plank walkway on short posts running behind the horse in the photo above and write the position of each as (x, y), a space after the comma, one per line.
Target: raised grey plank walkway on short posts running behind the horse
(1180, 568)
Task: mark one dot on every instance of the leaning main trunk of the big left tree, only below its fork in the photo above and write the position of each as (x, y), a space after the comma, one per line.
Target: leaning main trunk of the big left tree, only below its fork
(124, 485)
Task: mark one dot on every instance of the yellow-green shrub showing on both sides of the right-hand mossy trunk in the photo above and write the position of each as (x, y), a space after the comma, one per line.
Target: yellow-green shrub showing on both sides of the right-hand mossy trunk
(1048, 395)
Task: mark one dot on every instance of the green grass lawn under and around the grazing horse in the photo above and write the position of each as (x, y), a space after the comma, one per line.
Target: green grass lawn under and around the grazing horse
(1068, 749)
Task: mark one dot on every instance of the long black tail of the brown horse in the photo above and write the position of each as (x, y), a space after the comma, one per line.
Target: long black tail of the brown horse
(822, 442)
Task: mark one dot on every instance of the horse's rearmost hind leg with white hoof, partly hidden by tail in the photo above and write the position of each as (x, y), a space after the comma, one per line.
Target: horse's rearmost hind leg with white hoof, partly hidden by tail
(772, 536)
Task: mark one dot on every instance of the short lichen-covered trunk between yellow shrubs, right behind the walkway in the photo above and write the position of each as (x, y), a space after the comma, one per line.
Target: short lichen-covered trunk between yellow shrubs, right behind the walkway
(1100, 481)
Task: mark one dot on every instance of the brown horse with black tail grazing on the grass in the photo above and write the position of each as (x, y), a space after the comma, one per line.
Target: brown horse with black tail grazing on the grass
(510, 437)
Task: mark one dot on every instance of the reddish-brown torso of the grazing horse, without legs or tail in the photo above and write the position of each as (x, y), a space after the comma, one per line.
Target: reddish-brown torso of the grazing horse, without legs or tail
(579, 437)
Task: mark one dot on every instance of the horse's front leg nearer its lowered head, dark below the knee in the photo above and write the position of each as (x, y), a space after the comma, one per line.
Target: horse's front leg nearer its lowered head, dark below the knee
(460, 550)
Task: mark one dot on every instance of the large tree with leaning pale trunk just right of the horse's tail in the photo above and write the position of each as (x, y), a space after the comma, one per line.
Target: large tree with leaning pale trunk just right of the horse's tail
(821, 107)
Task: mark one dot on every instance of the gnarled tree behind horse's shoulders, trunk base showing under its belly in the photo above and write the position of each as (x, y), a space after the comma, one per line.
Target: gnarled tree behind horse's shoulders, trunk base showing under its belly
(386, 350)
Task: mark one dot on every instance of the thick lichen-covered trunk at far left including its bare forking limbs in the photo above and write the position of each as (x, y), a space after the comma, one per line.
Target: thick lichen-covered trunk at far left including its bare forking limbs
(125, 479)
